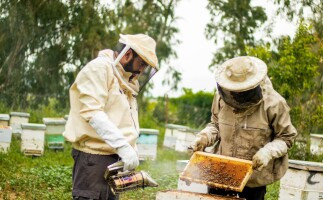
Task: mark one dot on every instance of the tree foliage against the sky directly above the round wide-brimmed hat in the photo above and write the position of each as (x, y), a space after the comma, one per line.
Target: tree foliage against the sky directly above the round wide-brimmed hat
(236, 21)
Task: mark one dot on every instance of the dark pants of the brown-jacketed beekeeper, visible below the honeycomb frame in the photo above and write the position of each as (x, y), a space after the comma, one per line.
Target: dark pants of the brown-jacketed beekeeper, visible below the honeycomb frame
(248, 193)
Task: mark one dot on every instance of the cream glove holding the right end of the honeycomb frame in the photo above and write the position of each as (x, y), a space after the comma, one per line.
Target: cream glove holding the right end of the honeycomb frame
(274, 149)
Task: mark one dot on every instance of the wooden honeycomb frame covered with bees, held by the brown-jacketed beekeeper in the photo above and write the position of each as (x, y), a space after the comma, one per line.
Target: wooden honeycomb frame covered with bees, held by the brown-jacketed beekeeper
(217, 171)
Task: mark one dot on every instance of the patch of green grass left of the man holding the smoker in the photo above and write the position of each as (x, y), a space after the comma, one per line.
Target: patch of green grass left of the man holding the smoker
(45, 177)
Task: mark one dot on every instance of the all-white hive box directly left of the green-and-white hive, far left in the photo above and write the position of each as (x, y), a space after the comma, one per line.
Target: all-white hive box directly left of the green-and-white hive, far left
(33, 139)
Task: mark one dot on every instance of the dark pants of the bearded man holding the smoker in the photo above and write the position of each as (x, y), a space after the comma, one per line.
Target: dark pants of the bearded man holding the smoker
(88, 180)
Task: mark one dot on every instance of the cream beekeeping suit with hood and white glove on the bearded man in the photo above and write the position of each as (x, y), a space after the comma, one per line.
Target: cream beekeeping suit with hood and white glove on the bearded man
(104, 116)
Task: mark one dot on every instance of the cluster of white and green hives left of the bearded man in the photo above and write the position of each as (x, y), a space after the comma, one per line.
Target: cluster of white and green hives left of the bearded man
(32, 135)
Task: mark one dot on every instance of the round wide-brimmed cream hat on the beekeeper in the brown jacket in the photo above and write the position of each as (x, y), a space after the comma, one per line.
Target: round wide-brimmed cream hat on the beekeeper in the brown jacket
(241, 73)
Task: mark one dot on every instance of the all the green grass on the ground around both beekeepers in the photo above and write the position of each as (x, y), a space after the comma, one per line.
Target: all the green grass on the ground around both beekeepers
(49, 176)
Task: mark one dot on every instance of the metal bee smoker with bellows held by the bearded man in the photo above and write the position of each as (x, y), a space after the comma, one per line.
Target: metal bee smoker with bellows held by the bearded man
(121, 181)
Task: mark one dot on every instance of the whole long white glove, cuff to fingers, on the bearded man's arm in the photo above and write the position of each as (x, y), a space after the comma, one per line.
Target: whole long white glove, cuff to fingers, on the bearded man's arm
(112, 135)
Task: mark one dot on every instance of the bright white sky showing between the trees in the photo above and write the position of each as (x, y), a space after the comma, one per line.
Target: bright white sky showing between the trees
(195, 52)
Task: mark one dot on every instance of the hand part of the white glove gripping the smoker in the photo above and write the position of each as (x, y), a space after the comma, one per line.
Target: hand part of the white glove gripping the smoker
(129, 157)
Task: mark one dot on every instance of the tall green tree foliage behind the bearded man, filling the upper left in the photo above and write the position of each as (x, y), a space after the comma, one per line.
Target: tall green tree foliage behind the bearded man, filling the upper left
(43, 44)
